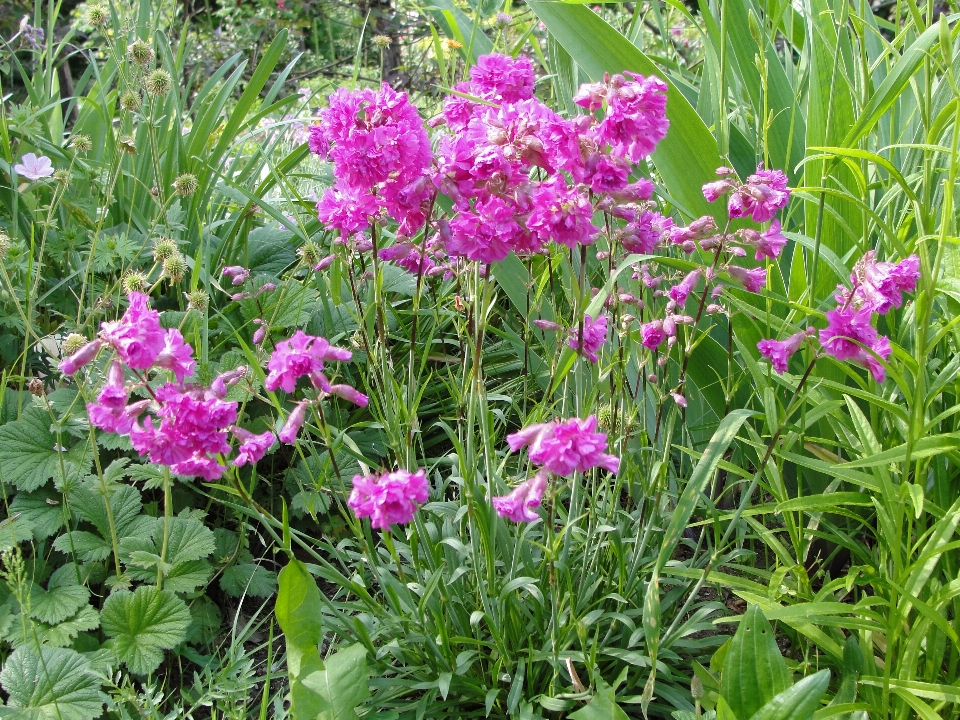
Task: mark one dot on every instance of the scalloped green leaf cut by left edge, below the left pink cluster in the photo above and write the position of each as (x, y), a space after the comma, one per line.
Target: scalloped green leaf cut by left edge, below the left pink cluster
(28, 450)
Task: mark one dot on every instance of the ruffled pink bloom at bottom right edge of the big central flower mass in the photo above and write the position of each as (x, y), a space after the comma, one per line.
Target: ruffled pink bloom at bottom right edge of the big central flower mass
(563, 214)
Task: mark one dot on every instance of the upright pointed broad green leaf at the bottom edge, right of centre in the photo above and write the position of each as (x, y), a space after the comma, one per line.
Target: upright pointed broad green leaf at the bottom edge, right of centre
(754, 672)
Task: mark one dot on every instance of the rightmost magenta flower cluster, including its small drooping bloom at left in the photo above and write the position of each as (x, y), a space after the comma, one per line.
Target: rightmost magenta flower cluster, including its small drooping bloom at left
(876, 287)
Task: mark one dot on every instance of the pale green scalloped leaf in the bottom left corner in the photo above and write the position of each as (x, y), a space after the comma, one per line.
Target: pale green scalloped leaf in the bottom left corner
(54, 682)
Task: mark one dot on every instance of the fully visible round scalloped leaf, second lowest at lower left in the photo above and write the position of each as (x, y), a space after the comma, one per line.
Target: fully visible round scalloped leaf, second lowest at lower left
(143, 624)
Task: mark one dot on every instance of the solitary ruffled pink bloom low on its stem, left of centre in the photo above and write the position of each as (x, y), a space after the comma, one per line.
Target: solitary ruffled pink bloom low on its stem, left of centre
(388, 499)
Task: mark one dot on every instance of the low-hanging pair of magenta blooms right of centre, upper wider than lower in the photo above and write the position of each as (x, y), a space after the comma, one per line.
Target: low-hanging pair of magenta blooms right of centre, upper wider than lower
(559, 448)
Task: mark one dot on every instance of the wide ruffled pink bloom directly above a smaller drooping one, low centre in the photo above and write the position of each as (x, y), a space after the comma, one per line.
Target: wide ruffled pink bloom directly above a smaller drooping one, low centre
(573, 446)
